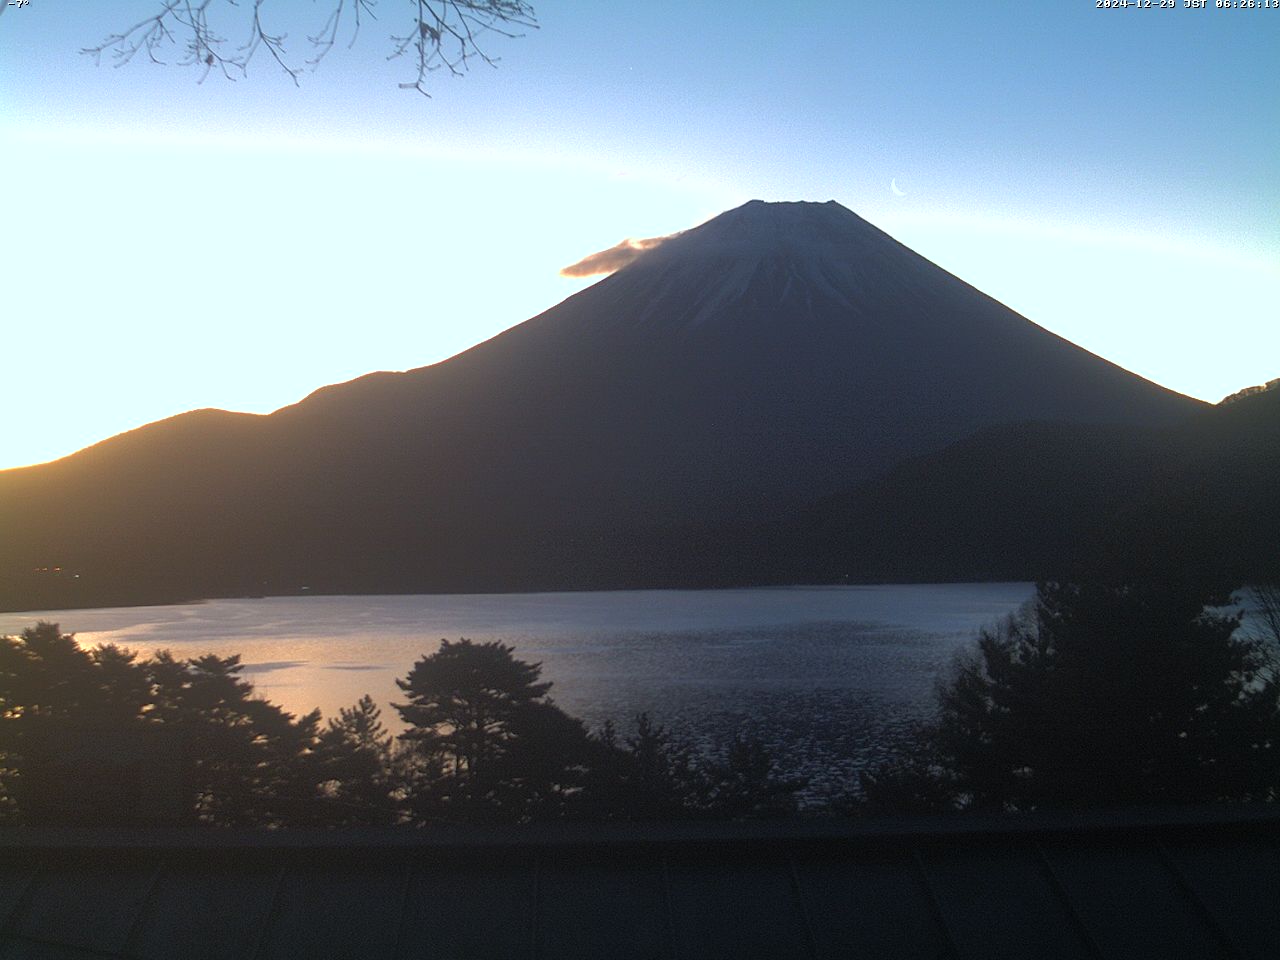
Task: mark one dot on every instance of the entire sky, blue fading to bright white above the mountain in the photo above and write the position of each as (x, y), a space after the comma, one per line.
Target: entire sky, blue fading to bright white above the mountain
(1112, 175)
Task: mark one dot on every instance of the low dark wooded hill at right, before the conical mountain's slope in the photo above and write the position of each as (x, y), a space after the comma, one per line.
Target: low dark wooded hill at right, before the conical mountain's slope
(1054, 501)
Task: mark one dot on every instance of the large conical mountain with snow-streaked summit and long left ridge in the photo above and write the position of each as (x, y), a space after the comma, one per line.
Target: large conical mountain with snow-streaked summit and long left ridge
(774, 356)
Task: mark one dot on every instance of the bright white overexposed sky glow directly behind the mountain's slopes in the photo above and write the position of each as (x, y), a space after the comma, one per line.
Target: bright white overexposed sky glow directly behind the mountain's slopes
(190, 327)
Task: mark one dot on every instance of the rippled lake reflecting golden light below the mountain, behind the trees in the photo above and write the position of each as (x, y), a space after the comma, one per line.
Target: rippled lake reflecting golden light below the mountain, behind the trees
(828, 676)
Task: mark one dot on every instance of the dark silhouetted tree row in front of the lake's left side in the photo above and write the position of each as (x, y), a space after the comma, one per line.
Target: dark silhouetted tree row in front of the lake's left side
(99, 737)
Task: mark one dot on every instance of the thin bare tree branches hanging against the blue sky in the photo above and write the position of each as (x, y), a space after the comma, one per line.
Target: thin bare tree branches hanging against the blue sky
(442, 35)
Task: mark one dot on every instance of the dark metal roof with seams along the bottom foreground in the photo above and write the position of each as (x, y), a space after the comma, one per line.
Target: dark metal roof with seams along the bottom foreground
(1176, 885)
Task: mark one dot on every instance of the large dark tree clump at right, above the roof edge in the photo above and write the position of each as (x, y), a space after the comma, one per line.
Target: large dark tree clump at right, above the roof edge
(1113, 694)
